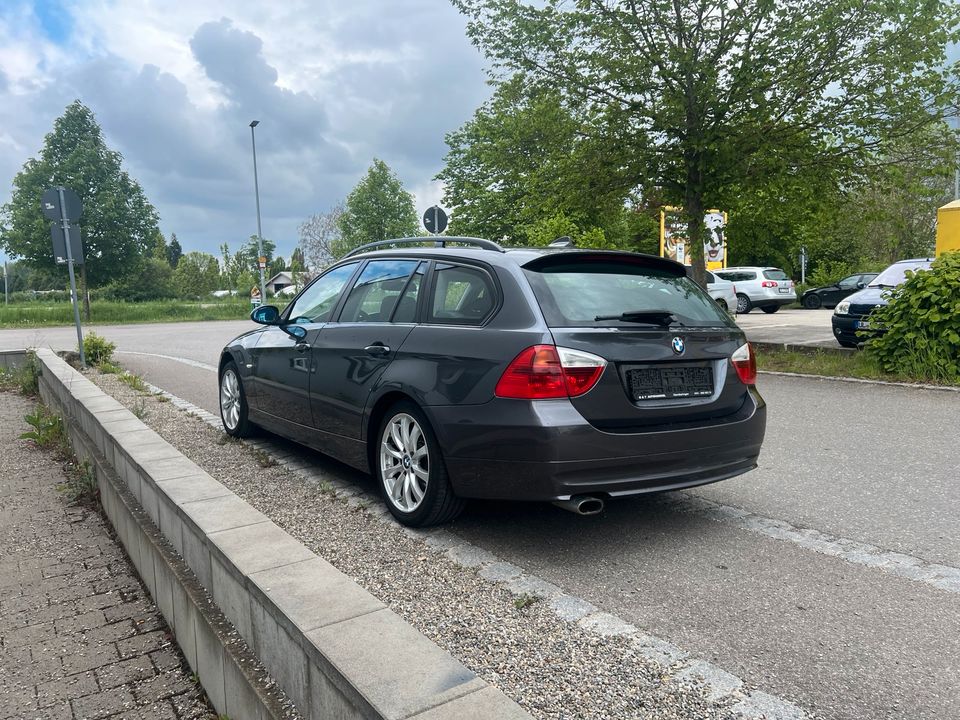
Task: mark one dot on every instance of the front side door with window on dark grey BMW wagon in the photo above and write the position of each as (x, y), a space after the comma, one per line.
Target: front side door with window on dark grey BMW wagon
(283, 365)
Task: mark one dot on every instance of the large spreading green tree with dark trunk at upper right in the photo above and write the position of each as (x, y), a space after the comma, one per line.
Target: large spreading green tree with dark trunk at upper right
(706, 88)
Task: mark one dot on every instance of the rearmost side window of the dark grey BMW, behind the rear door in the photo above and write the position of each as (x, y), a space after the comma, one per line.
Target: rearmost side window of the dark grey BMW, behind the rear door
(461, 295)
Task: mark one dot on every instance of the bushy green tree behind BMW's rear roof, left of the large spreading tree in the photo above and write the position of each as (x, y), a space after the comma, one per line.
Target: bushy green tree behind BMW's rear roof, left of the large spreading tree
(525, 158)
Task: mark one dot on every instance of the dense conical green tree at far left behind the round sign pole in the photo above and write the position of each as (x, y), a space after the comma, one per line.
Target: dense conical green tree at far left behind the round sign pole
(118, 223)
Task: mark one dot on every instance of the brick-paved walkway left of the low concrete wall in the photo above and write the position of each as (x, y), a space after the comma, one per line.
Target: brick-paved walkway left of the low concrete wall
(80, 639)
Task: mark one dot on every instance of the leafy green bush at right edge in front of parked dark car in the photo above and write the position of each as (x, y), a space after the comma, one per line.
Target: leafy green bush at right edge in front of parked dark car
(919, 330)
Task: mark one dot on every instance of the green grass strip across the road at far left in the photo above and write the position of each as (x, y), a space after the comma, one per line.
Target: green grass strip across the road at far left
(37, 314)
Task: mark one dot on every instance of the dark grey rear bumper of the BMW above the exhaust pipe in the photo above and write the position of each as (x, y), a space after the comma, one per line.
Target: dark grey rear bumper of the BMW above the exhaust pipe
(519, 450)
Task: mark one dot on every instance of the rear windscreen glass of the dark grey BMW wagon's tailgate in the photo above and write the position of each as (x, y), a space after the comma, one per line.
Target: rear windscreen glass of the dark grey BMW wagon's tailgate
(575, 294)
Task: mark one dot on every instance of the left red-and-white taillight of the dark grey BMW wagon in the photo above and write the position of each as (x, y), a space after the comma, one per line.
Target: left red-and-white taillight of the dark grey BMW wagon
(544, 371)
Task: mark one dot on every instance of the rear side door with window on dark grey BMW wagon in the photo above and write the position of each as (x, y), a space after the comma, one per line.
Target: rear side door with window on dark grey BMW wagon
(352, 353)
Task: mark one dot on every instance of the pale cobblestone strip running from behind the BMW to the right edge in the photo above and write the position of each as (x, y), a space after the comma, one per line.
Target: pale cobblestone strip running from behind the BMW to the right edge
(942, 577)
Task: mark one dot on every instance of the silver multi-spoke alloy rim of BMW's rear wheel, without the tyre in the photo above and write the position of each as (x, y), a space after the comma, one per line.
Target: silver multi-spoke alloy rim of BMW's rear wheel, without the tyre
(404, 462)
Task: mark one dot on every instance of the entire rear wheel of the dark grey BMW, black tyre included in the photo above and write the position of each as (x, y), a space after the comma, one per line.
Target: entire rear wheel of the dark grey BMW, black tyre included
(410, 471)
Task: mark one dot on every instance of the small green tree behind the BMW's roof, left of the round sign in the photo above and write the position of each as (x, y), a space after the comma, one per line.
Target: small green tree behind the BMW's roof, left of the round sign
(378, 208)
